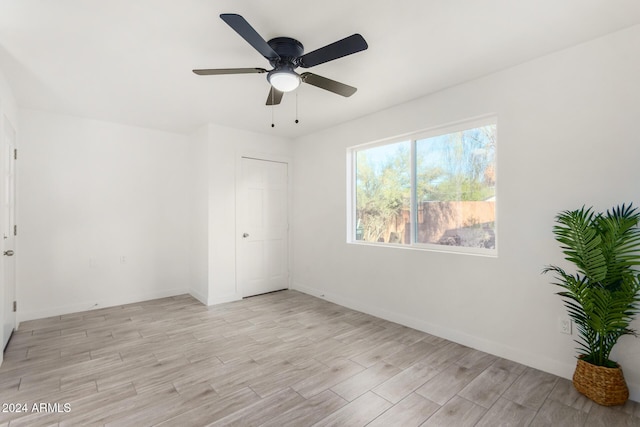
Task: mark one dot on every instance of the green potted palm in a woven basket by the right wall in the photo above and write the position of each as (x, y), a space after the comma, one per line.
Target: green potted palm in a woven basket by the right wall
(603, 296)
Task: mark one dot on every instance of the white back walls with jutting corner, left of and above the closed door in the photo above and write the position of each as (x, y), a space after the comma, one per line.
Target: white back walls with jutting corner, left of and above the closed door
(92, 192)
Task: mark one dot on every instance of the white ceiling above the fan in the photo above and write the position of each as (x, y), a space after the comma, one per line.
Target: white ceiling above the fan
(130, 61)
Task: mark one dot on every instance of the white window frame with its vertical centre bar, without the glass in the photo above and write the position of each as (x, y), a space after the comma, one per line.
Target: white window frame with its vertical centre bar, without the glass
(413, 137)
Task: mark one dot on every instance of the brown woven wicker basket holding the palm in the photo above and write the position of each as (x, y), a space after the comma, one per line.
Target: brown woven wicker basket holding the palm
(605, 386)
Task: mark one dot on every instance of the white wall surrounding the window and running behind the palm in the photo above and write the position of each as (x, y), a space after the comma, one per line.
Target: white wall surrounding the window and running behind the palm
(567, 136)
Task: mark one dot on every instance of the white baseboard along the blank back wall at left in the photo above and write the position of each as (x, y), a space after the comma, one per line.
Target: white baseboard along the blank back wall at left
(23, 316)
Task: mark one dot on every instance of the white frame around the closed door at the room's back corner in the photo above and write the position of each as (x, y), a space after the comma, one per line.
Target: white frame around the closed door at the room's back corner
(268, 157)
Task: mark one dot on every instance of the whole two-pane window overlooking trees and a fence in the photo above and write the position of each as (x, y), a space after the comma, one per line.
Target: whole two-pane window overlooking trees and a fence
(431, 190)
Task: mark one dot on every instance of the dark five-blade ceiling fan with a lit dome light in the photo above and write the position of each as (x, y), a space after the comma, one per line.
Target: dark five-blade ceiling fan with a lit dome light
(285, 55)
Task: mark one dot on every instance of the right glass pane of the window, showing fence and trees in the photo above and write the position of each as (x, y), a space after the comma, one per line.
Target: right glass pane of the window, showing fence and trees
(455, 188)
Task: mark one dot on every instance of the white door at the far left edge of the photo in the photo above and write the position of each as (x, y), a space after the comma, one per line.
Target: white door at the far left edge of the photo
(8, 229)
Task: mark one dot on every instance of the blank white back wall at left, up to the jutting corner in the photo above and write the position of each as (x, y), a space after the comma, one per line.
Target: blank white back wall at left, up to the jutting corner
(90, 193)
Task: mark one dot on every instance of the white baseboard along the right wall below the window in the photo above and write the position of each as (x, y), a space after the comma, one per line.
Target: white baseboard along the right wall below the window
(561, 369)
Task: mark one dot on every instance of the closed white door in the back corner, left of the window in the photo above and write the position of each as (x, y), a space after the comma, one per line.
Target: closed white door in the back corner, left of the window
(262, 227)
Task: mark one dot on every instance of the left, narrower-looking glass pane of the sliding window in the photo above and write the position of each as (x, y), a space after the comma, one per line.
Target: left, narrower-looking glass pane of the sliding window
(383, 193)
